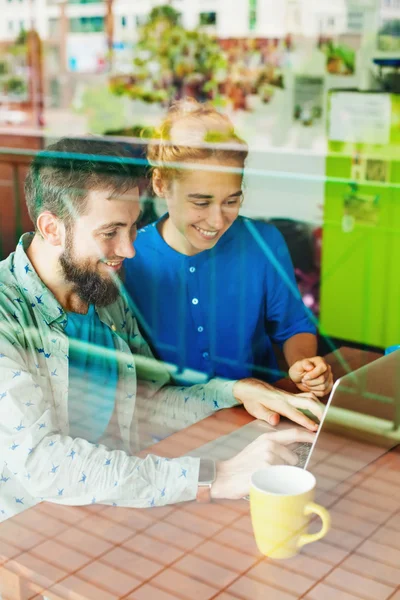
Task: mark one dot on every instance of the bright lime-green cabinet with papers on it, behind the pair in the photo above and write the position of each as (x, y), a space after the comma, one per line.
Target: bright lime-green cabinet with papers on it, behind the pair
(360, 278)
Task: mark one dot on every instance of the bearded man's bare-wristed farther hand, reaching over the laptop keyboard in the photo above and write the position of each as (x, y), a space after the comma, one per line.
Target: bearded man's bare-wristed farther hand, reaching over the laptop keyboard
(266, 402)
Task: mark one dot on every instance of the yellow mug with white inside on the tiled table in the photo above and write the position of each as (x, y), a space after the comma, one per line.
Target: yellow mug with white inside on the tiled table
(281, 502)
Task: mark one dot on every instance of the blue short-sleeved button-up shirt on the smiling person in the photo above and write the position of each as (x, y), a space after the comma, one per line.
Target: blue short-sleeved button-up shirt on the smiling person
(220, 311)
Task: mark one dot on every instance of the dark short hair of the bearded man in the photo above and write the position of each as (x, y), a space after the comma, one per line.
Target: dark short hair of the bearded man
(61, 176)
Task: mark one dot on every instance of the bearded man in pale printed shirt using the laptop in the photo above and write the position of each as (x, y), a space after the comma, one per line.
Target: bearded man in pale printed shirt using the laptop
(71, 352)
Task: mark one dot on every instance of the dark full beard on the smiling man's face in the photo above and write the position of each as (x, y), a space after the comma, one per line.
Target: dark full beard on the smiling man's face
(89, 285)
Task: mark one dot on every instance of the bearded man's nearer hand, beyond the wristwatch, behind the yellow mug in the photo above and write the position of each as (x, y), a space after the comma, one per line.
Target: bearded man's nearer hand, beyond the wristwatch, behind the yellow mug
(234, 475)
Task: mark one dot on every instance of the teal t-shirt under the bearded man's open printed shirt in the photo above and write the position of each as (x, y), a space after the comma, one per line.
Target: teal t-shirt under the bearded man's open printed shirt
(93, 375)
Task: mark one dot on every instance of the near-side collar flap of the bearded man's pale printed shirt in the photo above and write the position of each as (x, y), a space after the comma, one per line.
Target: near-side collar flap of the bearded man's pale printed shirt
(40, 296)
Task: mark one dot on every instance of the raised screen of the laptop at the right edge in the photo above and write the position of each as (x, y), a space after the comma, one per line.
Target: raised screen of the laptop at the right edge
(361, 424)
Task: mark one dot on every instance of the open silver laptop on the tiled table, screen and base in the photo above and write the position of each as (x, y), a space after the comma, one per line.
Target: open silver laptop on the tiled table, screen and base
(362, 416)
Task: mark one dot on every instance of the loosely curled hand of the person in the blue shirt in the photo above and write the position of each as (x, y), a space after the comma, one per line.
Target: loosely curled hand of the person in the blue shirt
(312, 375)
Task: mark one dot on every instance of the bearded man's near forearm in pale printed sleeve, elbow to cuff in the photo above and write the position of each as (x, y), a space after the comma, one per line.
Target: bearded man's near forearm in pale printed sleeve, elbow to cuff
(99, 475)
